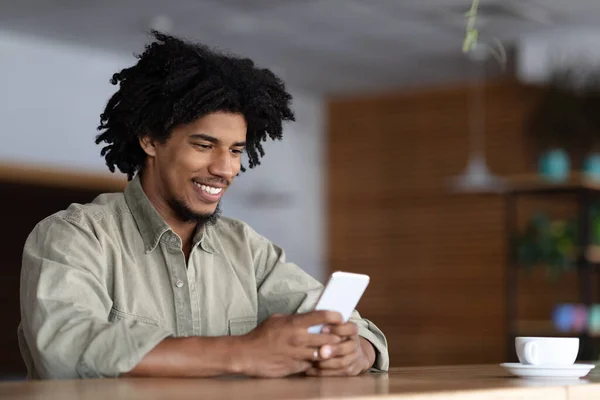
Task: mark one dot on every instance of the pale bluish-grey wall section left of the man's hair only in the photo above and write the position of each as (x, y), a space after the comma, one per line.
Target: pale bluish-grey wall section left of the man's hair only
(52, 96)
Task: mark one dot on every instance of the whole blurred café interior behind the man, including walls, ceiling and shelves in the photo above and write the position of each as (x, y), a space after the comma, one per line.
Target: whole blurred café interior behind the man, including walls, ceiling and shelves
(464, 185)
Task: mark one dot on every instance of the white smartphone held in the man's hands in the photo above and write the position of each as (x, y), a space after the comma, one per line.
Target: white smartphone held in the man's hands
(341, 294)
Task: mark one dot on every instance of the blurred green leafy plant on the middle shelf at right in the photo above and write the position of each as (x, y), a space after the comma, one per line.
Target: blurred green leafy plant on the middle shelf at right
(547, 242)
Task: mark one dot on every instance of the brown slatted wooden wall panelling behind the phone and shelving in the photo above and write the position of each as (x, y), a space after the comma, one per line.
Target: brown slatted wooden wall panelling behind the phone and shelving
(437, 259)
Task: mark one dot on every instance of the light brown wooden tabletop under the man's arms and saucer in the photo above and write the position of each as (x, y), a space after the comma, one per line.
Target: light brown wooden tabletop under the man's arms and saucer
(460, 382)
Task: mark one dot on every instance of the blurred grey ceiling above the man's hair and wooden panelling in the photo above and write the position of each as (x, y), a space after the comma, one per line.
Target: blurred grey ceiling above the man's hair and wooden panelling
(323, 46)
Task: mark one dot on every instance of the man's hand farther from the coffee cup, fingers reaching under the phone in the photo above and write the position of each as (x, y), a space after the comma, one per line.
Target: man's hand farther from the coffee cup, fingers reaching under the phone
(282, 346)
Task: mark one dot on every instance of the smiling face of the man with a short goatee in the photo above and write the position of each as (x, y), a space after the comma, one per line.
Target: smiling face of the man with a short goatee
(198, 162)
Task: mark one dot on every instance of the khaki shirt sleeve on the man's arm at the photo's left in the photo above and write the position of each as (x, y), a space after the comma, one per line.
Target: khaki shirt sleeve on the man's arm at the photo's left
(65, 304)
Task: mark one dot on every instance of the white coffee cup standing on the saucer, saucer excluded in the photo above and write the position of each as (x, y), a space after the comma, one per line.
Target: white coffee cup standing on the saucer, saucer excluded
(547, 351)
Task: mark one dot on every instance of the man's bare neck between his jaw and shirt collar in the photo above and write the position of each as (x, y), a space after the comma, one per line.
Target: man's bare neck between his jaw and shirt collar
(185, 230)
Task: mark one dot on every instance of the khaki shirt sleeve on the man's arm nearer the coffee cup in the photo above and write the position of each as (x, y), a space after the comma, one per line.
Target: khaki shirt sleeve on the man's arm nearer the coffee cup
(285, 288)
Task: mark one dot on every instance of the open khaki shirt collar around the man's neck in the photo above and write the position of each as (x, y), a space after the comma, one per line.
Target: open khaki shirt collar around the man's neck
(151, 224)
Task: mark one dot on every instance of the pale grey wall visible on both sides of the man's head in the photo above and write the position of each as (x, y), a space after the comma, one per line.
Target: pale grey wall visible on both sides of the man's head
(51, 98)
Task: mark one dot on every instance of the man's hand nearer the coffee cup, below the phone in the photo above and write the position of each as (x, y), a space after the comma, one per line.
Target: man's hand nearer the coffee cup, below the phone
(353, 356)
